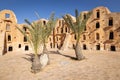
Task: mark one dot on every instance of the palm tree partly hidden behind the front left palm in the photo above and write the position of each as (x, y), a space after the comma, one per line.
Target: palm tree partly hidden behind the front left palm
(46, 31)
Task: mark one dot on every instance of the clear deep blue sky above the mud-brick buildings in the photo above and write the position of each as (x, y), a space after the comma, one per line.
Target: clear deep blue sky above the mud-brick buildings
(25, 9)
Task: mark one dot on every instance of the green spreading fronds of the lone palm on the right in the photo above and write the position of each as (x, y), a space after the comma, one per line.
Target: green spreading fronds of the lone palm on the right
(80, 24)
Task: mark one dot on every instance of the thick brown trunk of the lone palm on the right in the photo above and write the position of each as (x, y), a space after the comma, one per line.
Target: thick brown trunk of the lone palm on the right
(78, 52)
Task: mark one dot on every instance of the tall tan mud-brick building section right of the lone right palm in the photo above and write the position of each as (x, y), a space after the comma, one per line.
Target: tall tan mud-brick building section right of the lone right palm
(102, 31)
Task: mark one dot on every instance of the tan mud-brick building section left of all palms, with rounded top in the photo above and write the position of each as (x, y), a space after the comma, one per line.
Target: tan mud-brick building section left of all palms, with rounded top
(10, 38)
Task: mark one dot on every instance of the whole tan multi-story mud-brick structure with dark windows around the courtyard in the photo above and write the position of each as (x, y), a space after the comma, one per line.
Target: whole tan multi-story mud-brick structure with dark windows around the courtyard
(102, 32)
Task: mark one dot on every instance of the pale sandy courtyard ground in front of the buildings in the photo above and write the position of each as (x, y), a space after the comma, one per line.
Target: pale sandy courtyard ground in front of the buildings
(96, 66)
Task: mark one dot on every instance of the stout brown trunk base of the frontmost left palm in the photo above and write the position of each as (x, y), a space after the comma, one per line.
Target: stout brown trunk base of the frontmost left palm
(36, 66)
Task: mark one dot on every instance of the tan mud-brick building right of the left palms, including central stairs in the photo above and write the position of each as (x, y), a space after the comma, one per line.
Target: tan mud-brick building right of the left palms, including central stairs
(102, 32)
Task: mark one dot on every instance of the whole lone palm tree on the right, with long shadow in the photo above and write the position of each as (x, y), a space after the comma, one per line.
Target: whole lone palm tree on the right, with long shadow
(77, 27)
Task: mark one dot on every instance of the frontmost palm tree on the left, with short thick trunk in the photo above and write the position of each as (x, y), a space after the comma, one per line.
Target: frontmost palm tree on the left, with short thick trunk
(34, 38)
